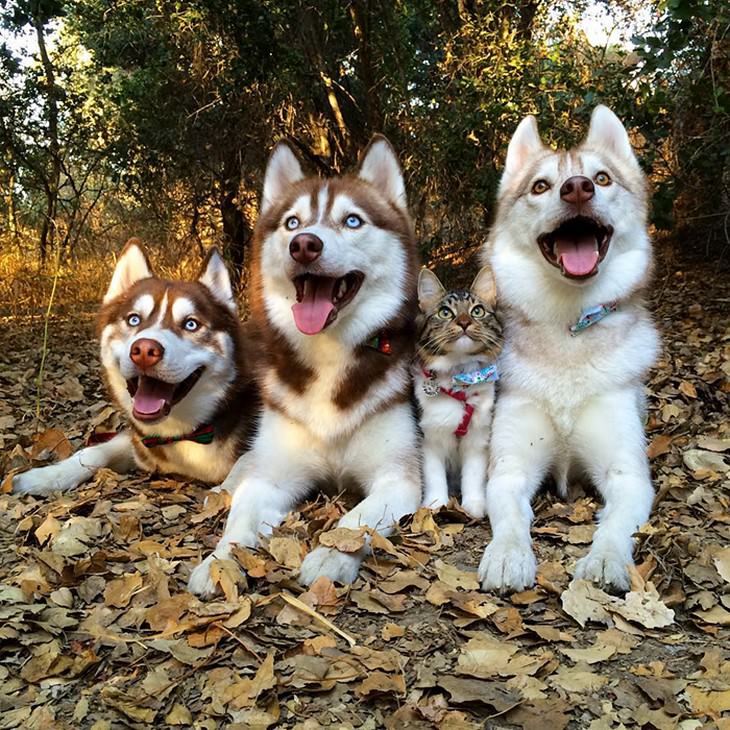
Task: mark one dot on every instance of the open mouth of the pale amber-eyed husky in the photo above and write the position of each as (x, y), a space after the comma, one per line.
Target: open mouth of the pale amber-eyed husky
(577, 246)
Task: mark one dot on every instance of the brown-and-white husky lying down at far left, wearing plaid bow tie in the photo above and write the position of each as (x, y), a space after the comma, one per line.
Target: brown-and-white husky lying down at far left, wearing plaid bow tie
(175, 362)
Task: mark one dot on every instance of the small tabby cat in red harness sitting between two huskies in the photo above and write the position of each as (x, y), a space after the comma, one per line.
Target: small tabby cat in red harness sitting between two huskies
(455, 375)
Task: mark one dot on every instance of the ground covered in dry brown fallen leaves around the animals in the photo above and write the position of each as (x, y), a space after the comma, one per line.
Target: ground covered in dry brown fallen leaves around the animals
(97, 630)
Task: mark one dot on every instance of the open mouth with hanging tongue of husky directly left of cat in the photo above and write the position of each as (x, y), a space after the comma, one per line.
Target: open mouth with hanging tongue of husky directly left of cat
(320, 298)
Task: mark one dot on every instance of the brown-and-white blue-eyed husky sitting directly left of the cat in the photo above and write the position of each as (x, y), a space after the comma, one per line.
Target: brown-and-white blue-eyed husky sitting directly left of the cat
(334, 297)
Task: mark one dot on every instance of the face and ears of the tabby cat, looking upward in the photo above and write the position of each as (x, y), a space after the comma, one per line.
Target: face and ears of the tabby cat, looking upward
(459, 321)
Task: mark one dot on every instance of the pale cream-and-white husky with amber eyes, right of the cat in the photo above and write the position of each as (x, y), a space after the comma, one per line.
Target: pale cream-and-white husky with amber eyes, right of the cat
(571, 255)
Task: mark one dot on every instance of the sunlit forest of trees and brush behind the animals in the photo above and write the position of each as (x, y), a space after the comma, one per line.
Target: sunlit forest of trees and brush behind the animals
(155, 118)
